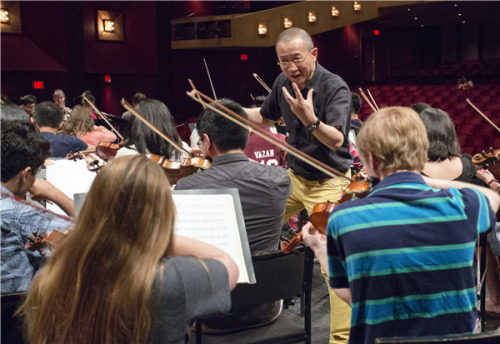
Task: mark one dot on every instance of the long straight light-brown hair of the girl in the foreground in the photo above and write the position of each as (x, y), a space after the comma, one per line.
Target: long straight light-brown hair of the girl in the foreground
(95, 288)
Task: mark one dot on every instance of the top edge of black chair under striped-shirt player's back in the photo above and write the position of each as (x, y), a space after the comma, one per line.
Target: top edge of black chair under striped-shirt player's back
(490, 337)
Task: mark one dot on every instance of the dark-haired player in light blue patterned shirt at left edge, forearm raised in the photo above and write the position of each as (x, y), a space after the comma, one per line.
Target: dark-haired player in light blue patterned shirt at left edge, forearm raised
(24, 151)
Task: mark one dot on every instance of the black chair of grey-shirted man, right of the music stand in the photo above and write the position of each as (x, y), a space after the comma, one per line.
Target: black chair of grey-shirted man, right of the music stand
(279, 276)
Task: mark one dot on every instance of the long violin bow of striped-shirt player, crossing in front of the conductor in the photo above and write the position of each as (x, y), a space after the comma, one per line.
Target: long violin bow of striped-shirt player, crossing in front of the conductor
(243, 122)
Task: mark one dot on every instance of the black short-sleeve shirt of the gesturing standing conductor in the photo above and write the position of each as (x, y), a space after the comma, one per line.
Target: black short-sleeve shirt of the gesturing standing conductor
(332, 105)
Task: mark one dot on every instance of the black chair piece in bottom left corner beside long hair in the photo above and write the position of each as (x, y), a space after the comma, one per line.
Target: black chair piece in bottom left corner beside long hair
(12, 331)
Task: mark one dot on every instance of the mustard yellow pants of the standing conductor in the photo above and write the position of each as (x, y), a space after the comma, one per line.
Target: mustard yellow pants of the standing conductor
(306, 194)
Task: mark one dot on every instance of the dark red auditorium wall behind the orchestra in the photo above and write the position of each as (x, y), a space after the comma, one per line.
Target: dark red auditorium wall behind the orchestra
(59, 46)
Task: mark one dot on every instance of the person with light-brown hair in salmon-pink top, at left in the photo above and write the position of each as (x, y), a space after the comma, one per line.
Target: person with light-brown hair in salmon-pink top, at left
(81, 125)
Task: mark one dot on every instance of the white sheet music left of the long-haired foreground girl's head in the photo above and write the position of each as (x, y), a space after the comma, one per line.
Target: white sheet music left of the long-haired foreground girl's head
(71, 177)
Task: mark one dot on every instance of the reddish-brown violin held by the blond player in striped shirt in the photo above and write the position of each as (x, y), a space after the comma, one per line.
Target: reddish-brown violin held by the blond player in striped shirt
(359, 188)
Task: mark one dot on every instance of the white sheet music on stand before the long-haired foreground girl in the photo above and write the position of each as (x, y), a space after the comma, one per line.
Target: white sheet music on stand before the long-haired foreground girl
(215, 223)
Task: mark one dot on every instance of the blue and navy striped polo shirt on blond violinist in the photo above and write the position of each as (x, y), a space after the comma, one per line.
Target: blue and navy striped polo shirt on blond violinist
(406, 253)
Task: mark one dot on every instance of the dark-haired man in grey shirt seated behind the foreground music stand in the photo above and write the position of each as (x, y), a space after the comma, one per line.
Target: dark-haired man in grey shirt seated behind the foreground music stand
(263, 191)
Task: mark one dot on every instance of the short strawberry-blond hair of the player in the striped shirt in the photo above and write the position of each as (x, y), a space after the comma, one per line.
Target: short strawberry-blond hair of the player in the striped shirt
(397, 137)
